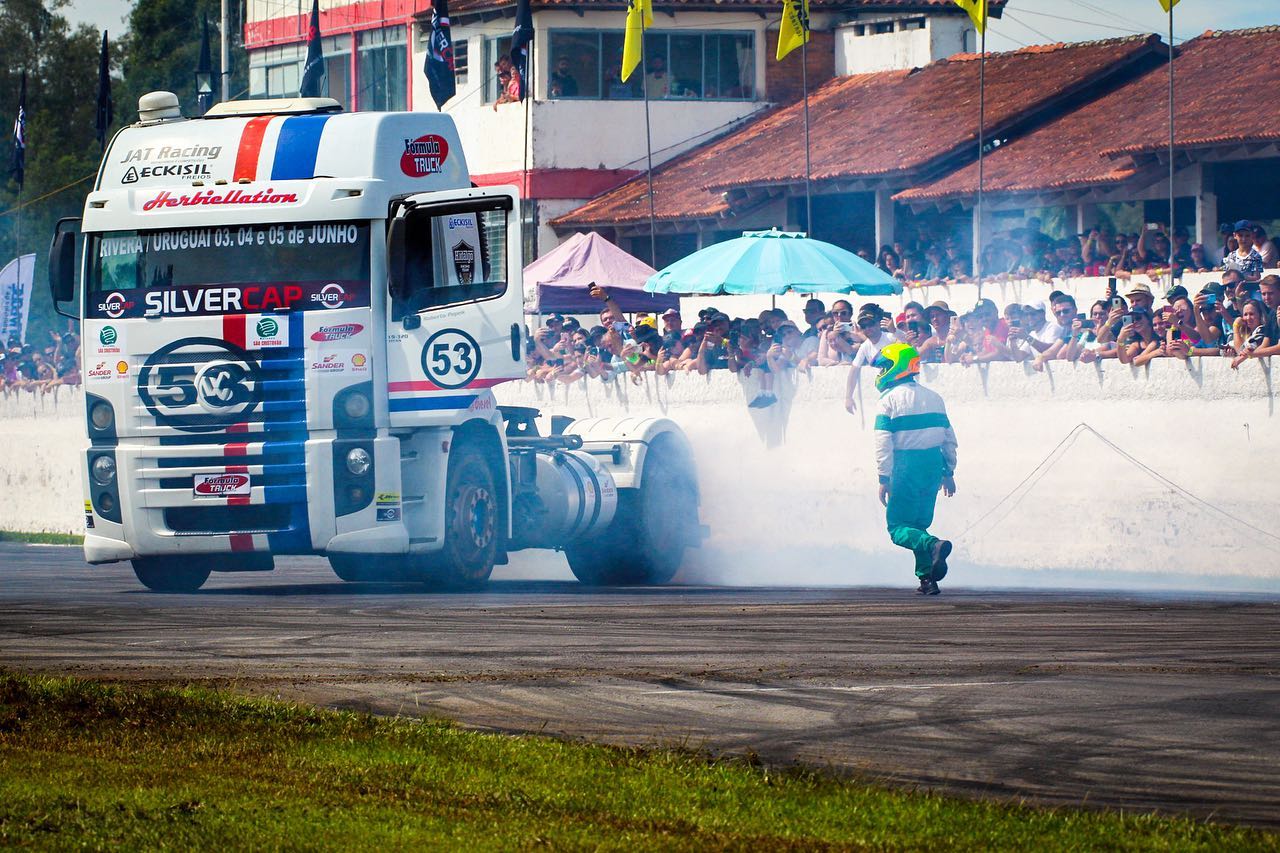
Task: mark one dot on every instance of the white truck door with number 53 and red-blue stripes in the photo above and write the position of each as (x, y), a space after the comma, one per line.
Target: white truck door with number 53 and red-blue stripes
(456, 308)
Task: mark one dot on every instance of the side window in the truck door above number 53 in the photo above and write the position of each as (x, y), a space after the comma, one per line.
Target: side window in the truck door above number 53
(454, 257)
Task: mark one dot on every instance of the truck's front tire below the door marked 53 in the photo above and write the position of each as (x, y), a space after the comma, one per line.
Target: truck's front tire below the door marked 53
(472, 522)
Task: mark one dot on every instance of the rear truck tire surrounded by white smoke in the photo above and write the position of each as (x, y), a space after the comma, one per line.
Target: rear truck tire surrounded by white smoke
(647, 540)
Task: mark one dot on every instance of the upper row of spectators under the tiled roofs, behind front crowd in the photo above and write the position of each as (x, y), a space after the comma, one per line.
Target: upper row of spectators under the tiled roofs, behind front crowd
(1028, 253)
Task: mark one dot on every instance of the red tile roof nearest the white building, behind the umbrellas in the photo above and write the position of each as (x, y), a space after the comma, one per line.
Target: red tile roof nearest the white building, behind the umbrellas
(889, 125)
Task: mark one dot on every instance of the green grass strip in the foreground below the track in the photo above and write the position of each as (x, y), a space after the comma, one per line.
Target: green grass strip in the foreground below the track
(104, 767)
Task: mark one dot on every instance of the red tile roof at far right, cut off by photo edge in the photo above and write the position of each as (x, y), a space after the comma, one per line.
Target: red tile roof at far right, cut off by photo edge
(1103, 142)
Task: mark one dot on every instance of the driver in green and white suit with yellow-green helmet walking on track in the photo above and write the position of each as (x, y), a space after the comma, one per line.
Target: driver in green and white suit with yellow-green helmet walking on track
(916, 457)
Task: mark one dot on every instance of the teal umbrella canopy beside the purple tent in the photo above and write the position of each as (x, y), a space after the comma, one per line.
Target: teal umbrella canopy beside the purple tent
(772, 263)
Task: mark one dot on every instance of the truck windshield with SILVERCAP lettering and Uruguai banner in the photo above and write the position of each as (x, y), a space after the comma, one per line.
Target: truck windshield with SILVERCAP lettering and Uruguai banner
(226, 268)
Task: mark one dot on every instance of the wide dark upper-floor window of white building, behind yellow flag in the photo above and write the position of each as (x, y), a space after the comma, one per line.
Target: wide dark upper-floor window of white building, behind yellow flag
(588, 63)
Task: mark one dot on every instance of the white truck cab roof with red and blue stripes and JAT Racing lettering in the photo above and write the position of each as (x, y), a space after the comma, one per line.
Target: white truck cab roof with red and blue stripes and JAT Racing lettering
(296, 142)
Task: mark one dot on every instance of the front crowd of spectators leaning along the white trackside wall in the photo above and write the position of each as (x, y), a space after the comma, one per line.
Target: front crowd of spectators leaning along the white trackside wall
(1237, 318)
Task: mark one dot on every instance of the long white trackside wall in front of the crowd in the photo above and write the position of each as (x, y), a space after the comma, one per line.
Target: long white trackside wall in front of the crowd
(1171, 482)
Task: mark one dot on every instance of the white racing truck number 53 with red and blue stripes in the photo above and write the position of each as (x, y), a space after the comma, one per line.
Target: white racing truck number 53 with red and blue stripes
(294, 321)
